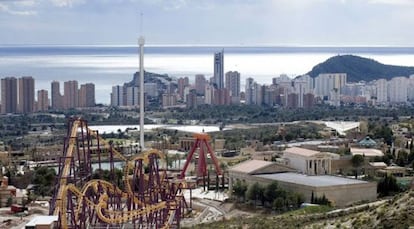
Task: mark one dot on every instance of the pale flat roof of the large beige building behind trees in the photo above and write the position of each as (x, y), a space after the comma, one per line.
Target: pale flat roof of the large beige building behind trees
(314, 181)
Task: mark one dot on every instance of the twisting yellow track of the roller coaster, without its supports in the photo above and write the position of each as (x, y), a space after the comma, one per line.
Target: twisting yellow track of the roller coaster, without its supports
(102, 208)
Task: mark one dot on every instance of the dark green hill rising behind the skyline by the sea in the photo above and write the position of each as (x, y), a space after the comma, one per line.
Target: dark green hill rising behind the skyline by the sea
(359, 68)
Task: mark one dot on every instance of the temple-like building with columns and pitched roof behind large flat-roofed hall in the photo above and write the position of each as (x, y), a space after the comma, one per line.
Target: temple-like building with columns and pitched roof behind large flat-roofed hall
(307, 161)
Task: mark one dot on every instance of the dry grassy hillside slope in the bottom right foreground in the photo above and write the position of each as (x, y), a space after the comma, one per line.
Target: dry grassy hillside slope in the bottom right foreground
(393, 213)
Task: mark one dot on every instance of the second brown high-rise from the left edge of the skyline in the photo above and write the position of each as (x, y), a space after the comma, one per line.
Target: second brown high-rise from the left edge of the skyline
(26, 95)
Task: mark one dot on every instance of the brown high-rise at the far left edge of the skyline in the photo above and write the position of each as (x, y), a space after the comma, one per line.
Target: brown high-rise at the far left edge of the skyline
(8, 95)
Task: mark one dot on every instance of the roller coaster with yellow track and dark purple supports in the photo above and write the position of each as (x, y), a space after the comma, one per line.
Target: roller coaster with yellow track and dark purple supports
(146, 198)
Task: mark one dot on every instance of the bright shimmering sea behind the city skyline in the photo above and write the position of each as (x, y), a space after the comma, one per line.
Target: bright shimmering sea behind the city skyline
(111, 65)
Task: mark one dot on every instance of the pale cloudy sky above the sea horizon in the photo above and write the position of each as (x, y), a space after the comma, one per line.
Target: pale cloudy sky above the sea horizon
(208, 22)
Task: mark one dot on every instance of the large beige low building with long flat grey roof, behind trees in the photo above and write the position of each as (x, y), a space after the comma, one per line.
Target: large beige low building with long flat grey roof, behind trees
(340, 191)
